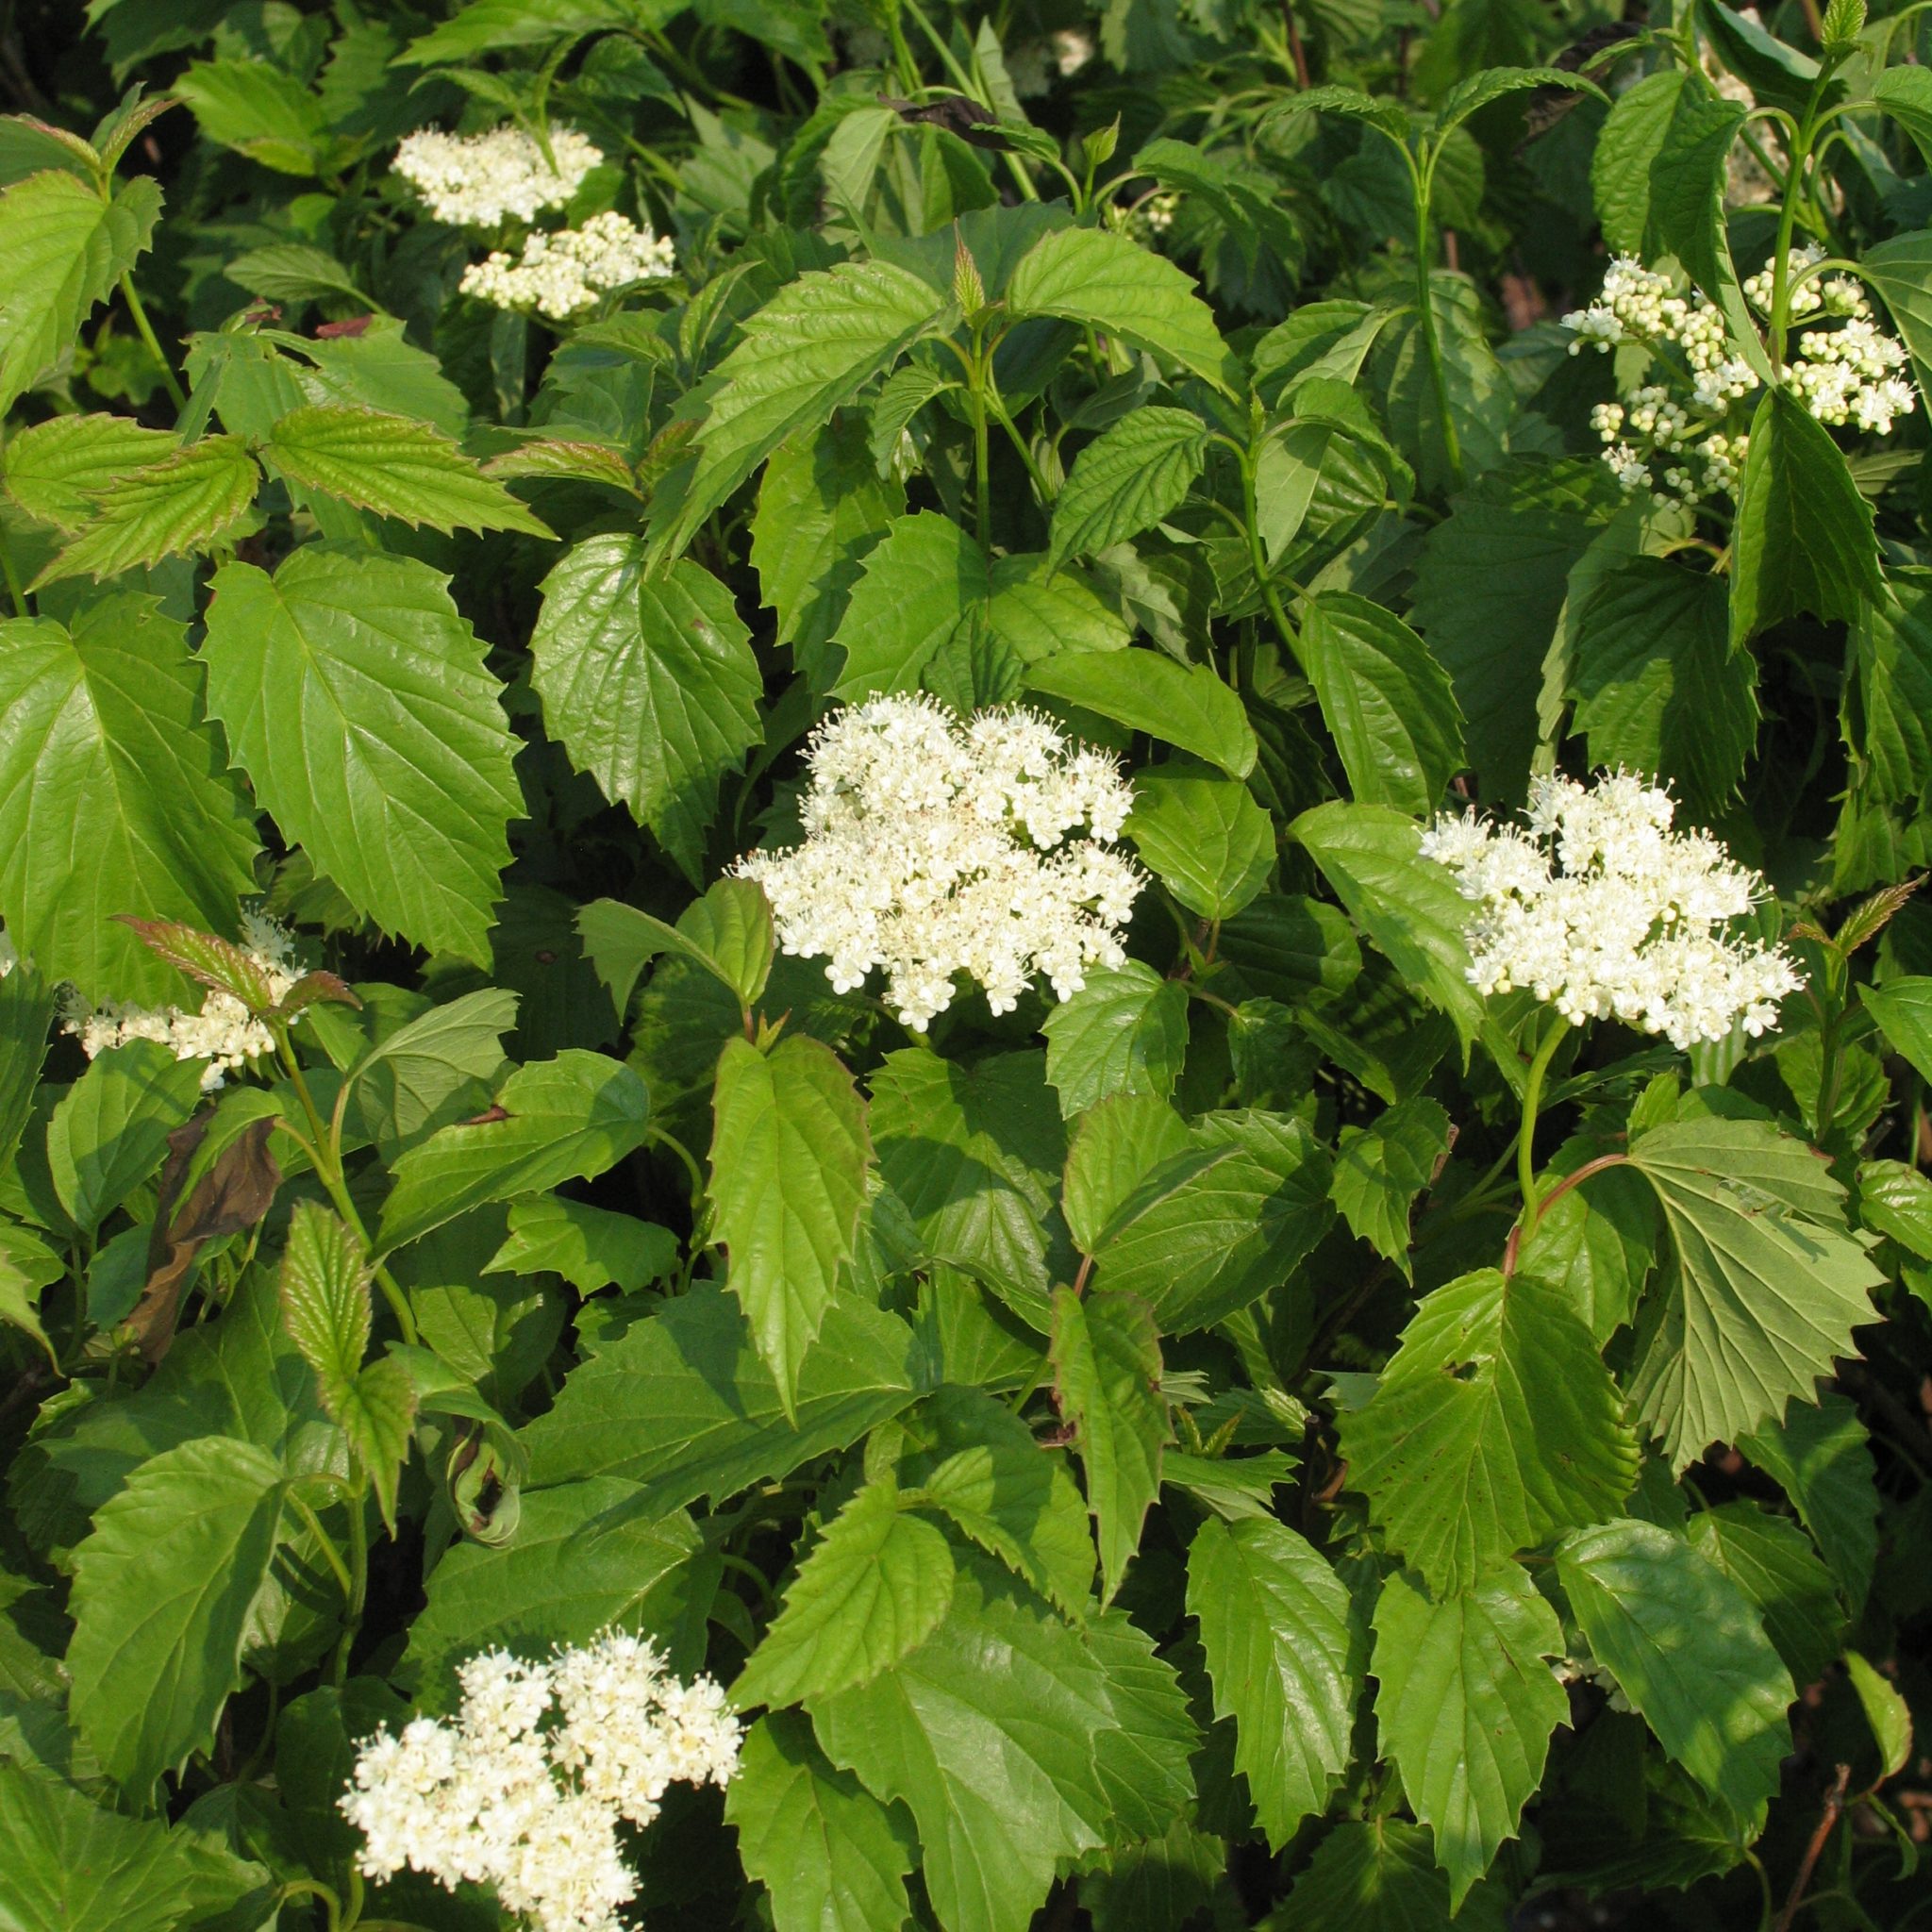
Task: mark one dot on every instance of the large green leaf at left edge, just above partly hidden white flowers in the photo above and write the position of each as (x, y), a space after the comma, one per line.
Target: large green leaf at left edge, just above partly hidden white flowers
(113, 797)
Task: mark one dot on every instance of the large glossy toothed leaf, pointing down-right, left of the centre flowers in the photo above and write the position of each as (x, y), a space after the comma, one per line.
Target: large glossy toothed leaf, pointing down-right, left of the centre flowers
(358, 702)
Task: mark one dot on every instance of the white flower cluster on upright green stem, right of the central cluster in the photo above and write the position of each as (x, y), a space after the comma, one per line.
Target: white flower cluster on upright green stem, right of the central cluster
(1605, 913)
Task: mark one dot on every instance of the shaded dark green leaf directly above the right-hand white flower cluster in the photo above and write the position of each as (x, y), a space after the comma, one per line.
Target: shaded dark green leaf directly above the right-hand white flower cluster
(1661, 687)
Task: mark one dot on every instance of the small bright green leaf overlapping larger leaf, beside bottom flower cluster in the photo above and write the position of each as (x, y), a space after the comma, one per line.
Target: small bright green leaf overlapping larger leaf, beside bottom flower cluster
(870, 1591)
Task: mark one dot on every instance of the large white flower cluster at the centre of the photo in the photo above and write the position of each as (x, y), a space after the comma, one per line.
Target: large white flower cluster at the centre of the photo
(936, 849)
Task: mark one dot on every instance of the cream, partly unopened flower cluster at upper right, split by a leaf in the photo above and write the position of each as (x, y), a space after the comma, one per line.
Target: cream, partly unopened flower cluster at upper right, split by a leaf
(1684, 447)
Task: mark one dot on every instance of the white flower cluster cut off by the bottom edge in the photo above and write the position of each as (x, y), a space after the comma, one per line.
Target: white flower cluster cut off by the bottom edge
(528, 1788)
